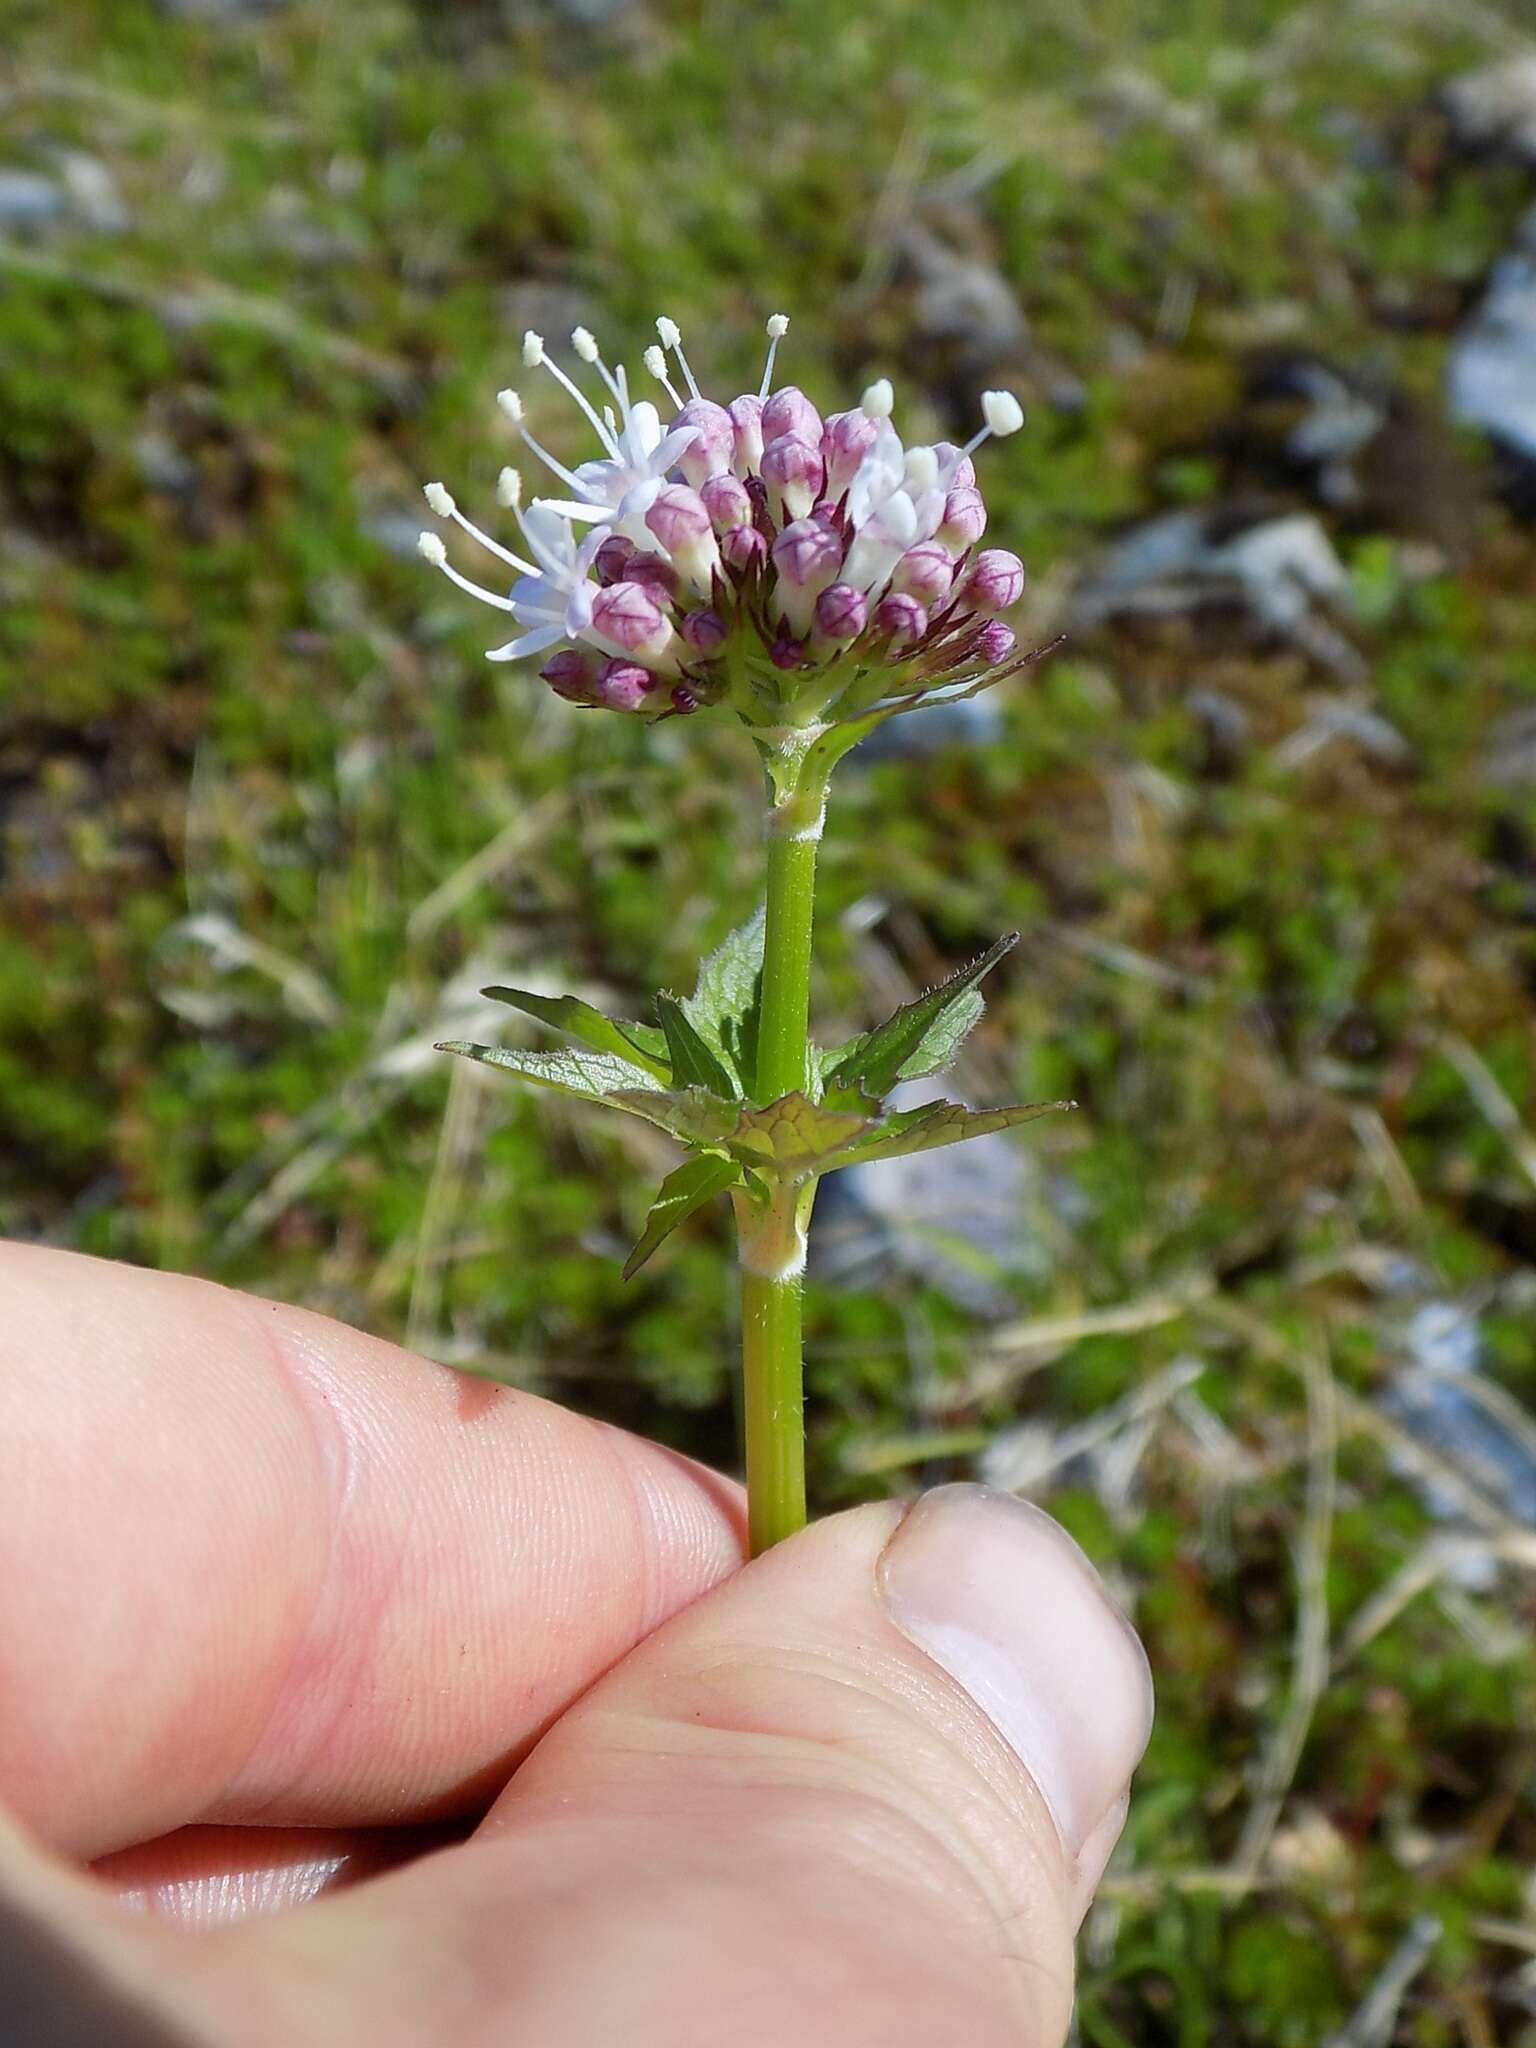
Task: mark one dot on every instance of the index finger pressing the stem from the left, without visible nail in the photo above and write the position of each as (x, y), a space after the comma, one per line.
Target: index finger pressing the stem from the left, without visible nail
(257, 1566)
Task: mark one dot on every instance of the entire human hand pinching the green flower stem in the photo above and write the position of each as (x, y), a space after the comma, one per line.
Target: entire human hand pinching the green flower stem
(478, 1695)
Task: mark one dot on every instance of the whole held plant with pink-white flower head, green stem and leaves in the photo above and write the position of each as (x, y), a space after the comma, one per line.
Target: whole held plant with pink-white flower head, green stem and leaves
(810, 579)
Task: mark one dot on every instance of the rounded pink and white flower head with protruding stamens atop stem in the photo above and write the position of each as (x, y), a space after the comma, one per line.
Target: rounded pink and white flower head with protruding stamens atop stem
(757, 552)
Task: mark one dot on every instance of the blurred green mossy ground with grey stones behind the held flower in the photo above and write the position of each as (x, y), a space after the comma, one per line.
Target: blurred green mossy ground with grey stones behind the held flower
(1256, 1322)
